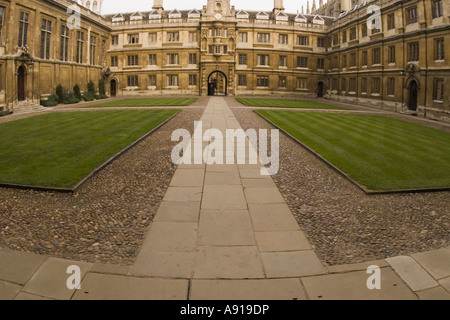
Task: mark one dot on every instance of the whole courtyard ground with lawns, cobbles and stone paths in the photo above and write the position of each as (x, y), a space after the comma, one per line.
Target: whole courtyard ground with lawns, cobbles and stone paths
(143, 227)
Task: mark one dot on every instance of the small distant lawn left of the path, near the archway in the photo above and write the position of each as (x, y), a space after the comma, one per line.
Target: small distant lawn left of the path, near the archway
(149, 102)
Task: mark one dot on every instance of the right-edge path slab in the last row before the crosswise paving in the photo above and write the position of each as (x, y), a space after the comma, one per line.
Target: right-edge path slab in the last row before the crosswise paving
(291, 264)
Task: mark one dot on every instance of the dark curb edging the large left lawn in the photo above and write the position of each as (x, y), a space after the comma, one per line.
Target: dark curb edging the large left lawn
(93, 173)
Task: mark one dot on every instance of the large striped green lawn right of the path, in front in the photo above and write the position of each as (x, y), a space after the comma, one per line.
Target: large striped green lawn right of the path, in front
(379, 152)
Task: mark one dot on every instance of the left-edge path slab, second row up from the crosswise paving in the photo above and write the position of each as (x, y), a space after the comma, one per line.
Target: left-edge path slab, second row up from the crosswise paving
(171, 236)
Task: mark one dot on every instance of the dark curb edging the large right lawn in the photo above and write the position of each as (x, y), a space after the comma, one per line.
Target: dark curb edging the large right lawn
(345, 175)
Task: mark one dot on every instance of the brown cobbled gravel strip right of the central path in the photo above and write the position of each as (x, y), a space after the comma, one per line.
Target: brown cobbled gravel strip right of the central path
(342, 223)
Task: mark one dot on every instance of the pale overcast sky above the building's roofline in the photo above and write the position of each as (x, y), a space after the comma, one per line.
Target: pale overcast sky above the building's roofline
(115, 6)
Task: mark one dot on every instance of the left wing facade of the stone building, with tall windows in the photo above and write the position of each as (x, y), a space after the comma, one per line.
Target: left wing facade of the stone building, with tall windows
(34, 58)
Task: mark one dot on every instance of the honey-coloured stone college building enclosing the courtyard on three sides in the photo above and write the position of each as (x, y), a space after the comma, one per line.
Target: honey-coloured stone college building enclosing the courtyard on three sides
(383, 53)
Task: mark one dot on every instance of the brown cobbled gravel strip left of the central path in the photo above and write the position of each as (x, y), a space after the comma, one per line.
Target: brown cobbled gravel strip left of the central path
(107, 219)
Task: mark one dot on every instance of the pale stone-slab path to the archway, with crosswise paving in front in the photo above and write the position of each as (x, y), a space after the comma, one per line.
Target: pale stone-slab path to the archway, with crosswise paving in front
(225, 232)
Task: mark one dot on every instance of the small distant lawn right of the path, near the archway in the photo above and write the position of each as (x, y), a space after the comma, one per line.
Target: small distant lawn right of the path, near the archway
(280, 103)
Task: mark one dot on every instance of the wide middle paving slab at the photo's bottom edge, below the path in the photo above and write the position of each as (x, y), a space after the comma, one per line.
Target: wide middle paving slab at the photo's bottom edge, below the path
(267, 289)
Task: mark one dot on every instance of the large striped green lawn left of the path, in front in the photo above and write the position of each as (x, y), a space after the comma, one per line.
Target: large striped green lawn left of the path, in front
(59, 149)
